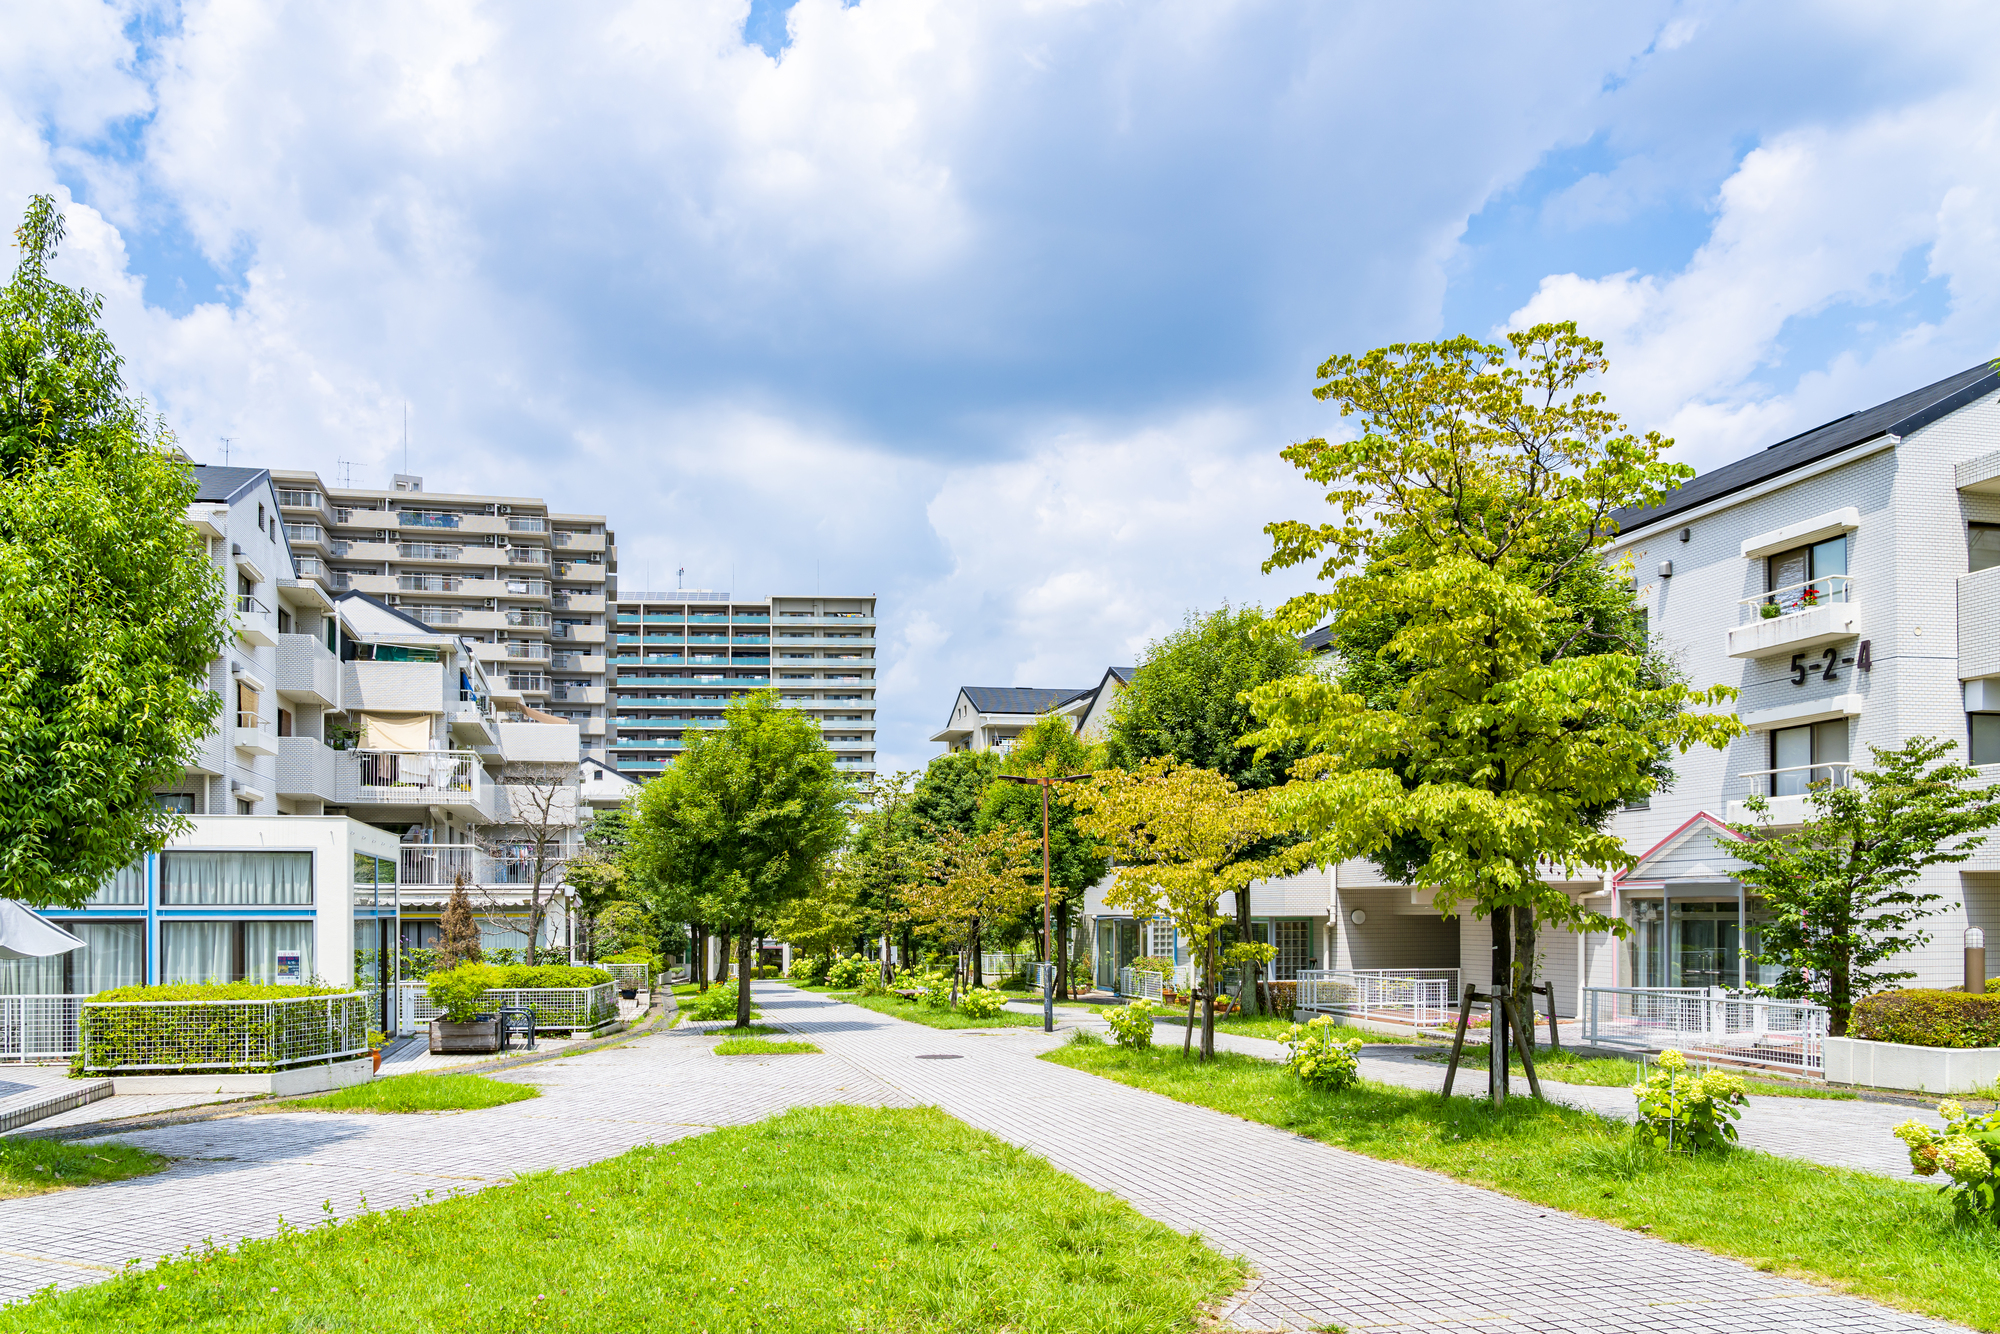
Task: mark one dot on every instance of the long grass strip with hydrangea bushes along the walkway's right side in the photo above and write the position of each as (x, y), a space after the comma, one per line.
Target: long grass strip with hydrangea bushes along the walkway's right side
(1883, 1239)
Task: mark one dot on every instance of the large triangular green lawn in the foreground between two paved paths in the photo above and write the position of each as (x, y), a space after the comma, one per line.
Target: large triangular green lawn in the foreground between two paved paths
(821, 1221)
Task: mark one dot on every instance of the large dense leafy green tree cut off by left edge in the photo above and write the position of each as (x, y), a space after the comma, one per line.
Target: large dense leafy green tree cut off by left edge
(109, 609)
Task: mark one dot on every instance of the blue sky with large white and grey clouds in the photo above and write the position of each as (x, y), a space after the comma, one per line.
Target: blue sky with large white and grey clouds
(997, 311)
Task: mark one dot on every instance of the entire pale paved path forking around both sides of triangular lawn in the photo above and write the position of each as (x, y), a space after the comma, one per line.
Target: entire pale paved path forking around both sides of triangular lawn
(1335, 1237)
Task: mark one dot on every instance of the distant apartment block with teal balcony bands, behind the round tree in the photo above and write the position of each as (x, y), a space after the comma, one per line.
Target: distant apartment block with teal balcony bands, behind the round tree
(681, 657)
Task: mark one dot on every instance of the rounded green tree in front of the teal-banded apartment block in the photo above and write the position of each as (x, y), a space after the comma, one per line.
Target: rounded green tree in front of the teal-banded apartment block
(745, 823)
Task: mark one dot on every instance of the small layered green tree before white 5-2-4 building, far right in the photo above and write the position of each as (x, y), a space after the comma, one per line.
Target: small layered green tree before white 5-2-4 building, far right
(1845, 887)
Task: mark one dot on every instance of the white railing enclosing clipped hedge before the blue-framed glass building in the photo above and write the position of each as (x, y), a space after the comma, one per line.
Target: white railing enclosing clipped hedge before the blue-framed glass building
(223, 1035)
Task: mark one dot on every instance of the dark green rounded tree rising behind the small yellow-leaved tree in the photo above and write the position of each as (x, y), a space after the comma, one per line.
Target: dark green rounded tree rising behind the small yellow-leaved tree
(1191, 701)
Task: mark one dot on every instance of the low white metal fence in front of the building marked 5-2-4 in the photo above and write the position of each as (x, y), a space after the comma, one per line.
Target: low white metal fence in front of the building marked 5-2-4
(1751, 1031)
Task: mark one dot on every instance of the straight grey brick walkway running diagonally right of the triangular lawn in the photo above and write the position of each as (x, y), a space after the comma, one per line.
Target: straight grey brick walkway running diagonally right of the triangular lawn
(1337, 1239)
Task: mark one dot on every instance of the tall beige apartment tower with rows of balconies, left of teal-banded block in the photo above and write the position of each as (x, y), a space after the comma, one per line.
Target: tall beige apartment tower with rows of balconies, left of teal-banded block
(527, 587)
